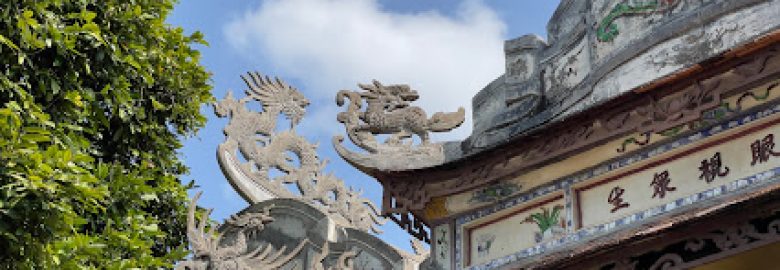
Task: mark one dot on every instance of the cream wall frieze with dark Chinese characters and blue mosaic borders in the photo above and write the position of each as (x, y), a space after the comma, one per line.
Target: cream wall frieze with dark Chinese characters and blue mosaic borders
(633, 189)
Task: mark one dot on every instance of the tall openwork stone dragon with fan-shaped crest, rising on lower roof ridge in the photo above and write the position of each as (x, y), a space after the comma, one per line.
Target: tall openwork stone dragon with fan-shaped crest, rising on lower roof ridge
(283, 164)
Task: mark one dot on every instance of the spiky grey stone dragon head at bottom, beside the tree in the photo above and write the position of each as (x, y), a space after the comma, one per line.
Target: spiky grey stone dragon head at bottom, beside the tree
(211, 252)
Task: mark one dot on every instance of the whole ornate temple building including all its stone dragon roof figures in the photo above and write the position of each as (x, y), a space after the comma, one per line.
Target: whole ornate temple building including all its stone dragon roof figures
(641, 134)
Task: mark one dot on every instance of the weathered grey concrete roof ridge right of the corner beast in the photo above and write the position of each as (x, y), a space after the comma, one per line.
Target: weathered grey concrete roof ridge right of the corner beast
(574, 70)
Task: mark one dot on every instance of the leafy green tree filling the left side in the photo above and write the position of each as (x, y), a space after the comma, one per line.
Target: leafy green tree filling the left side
(94, 98)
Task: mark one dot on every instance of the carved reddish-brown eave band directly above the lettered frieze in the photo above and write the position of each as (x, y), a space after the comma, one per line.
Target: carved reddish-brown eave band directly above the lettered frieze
(657, 112)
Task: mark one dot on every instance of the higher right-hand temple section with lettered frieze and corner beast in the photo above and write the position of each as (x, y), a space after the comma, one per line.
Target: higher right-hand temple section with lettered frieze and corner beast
(640, 135)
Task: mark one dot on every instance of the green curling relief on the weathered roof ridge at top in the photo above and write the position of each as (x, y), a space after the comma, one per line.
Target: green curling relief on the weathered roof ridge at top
(608, 30)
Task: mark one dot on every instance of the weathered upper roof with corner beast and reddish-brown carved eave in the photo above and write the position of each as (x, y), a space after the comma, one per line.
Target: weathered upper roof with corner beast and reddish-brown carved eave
(606, 69)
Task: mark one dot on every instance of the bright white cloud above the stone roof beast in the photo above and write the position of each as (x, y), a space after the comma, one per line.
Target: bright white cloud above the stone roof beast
(334, 44)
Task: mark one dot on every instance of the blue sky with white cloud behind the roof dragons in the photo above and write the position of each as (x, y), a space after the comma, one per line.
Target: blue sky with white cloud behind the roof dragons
(446, 49)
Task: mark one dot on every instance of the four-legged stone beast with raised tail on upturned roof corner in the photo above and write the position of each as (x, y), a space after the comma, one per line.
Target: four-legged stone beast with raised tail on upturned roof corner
(389, 112)
